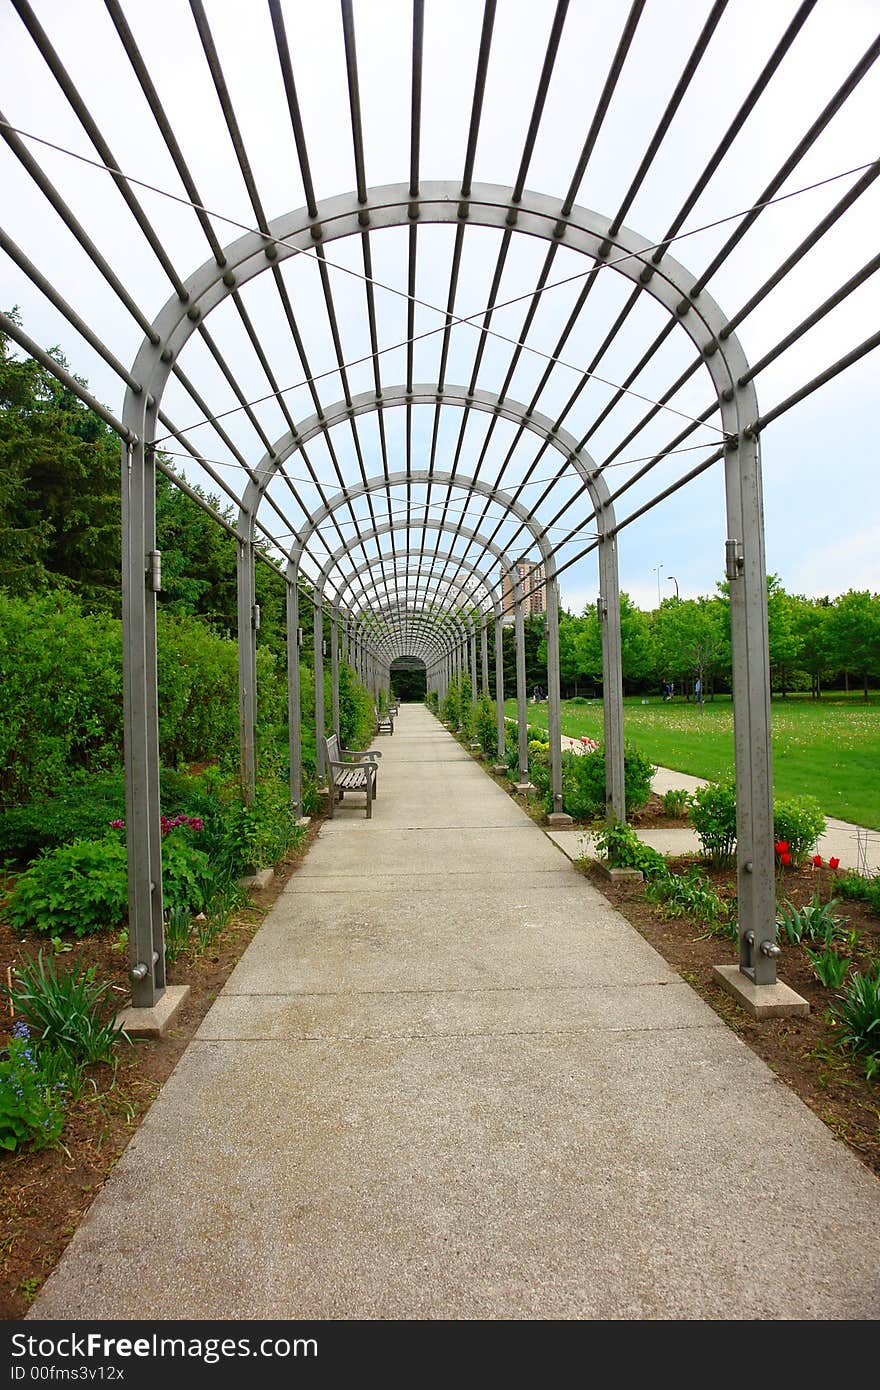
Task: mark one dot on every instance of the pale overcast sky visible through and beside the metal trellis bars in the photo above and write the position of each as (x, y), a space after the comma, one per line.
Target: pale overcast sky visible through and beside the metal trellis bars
(822, 476)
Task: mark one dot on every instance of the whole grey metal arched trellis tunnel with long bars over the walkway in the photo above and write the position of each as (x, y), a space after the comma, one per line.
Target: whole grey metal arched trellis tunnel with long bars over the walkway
(461, 205)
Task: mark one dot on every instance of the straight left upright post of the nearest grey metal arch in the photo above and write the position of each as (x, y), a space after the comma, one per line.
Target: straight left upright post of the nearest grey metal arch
(141, 753)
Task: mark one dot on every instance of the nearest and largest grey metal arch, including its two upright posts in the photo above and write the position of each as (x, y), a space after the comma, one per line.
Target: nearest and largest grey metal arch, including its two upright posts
(532, 215)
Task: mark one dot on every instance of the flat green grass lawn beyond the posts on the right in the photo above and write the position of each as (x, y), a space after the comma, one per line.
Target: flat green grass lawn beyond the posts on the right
(828, 749)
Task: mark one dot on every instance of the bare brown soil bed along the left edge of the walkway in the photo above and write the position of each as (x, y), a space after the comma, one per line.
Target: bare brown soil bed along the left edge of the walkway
(44, 1196)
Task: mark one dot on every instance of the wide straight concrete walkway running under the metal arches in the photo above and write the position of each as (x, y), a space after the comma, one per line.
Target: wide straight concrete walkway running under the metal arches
(447, 1081)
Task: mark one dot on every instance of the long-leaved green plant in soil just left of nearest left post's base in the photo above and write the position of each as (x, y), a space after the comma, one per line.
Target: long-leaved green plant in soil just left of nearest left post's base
(69, 1011)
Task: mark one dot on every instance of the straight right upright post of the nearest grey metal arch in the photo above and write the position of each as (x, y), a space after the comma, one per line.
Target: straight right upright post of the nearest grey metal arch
(747, 576)
